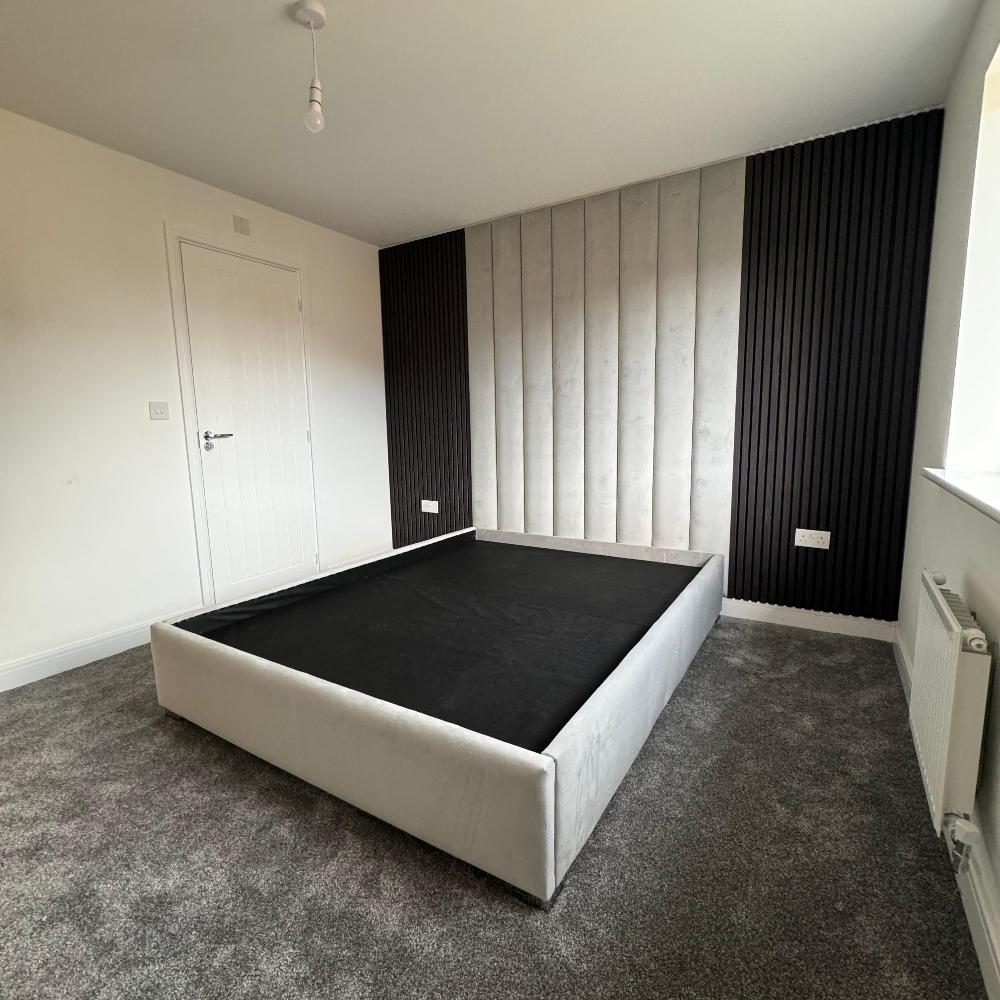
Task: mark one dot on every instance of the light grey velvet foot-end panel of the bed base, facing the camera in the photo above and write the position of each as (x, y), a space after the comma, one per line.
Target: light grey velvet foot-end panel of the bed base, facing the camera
(479, 799)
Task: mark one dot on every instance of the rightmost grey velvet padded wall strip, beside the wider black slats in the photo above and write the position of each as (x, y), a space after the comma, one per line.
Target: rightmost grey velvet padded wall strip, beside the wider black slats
(720, 254)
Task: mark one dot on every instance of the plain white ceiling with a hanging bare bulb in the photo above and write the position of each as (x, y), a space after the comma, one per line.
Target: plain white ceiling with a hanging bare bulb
(445, 112)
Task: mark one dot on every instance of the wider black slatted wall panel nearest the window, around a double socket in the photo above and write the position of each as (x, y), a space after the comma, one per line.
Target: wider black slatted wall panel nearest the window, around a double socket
(836, 252)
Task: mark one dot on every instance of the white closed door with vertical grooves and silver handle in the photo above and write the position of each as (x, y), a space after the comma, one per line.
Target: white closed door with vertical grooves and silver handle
(248, 358)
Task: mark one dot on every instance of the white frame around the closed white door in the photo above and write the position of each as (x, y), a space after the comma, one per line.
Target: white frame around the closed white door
(249, 249)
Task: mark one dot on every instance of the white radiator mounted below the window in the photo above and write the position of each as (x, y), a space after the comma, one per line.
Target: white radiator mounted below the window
(949, 688)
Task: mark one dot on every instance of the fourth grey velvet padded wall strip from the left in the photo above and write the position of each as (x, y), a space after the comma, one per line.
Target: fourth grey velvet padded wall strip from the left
(567, 369)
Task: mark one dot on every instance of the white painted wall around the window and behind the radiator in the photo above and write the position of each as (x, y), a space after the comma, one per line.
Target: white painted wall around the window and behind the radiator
(944, 533)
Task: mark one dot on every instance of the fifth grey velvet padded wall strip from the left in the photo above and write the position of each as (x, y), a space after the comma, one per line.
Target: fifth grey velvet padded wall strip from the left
(600, 359)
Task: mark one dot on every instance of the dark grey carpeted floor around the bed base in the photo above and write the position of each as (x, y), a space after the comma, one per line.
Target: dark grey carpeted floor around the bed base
(772, 840)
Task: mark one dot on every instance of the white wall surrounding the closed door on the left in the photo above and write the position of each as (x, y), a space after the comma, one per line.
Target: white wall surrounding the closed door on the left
(96, 523)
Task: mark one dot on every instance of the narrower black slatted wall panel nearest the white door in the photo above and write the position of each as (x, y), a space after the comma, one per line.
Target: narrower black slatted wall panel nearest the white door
(425, 344)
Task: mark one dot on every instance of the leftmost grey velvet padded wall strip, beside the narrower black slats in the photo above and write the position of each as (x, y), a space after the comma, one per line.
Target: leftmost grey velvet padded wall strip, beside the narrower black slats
(482, 379)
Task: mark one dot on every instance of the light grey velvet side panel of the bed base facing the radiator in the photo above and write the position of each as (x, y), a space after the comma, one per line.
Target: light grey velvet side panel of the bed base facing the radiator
(595, 749)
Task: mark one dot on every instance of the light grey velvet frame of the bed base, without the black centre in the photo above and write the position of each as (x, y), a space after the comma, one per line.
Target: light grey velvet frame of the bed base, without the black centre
(519, 815)
